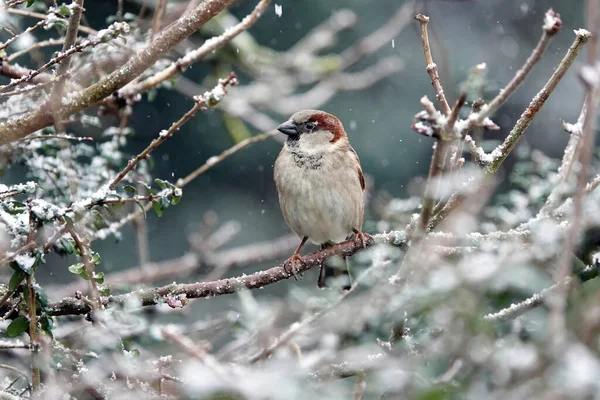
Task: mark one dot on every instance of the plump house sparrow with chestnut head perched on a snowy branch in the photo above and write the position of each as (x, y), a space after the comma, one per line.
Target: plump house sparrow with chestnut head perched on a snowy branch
(320, 184)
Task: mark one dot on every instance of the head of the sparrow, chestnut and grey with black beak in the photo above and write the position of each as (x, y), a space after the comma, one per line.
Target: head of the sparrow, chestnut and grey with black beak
(313, 131)
